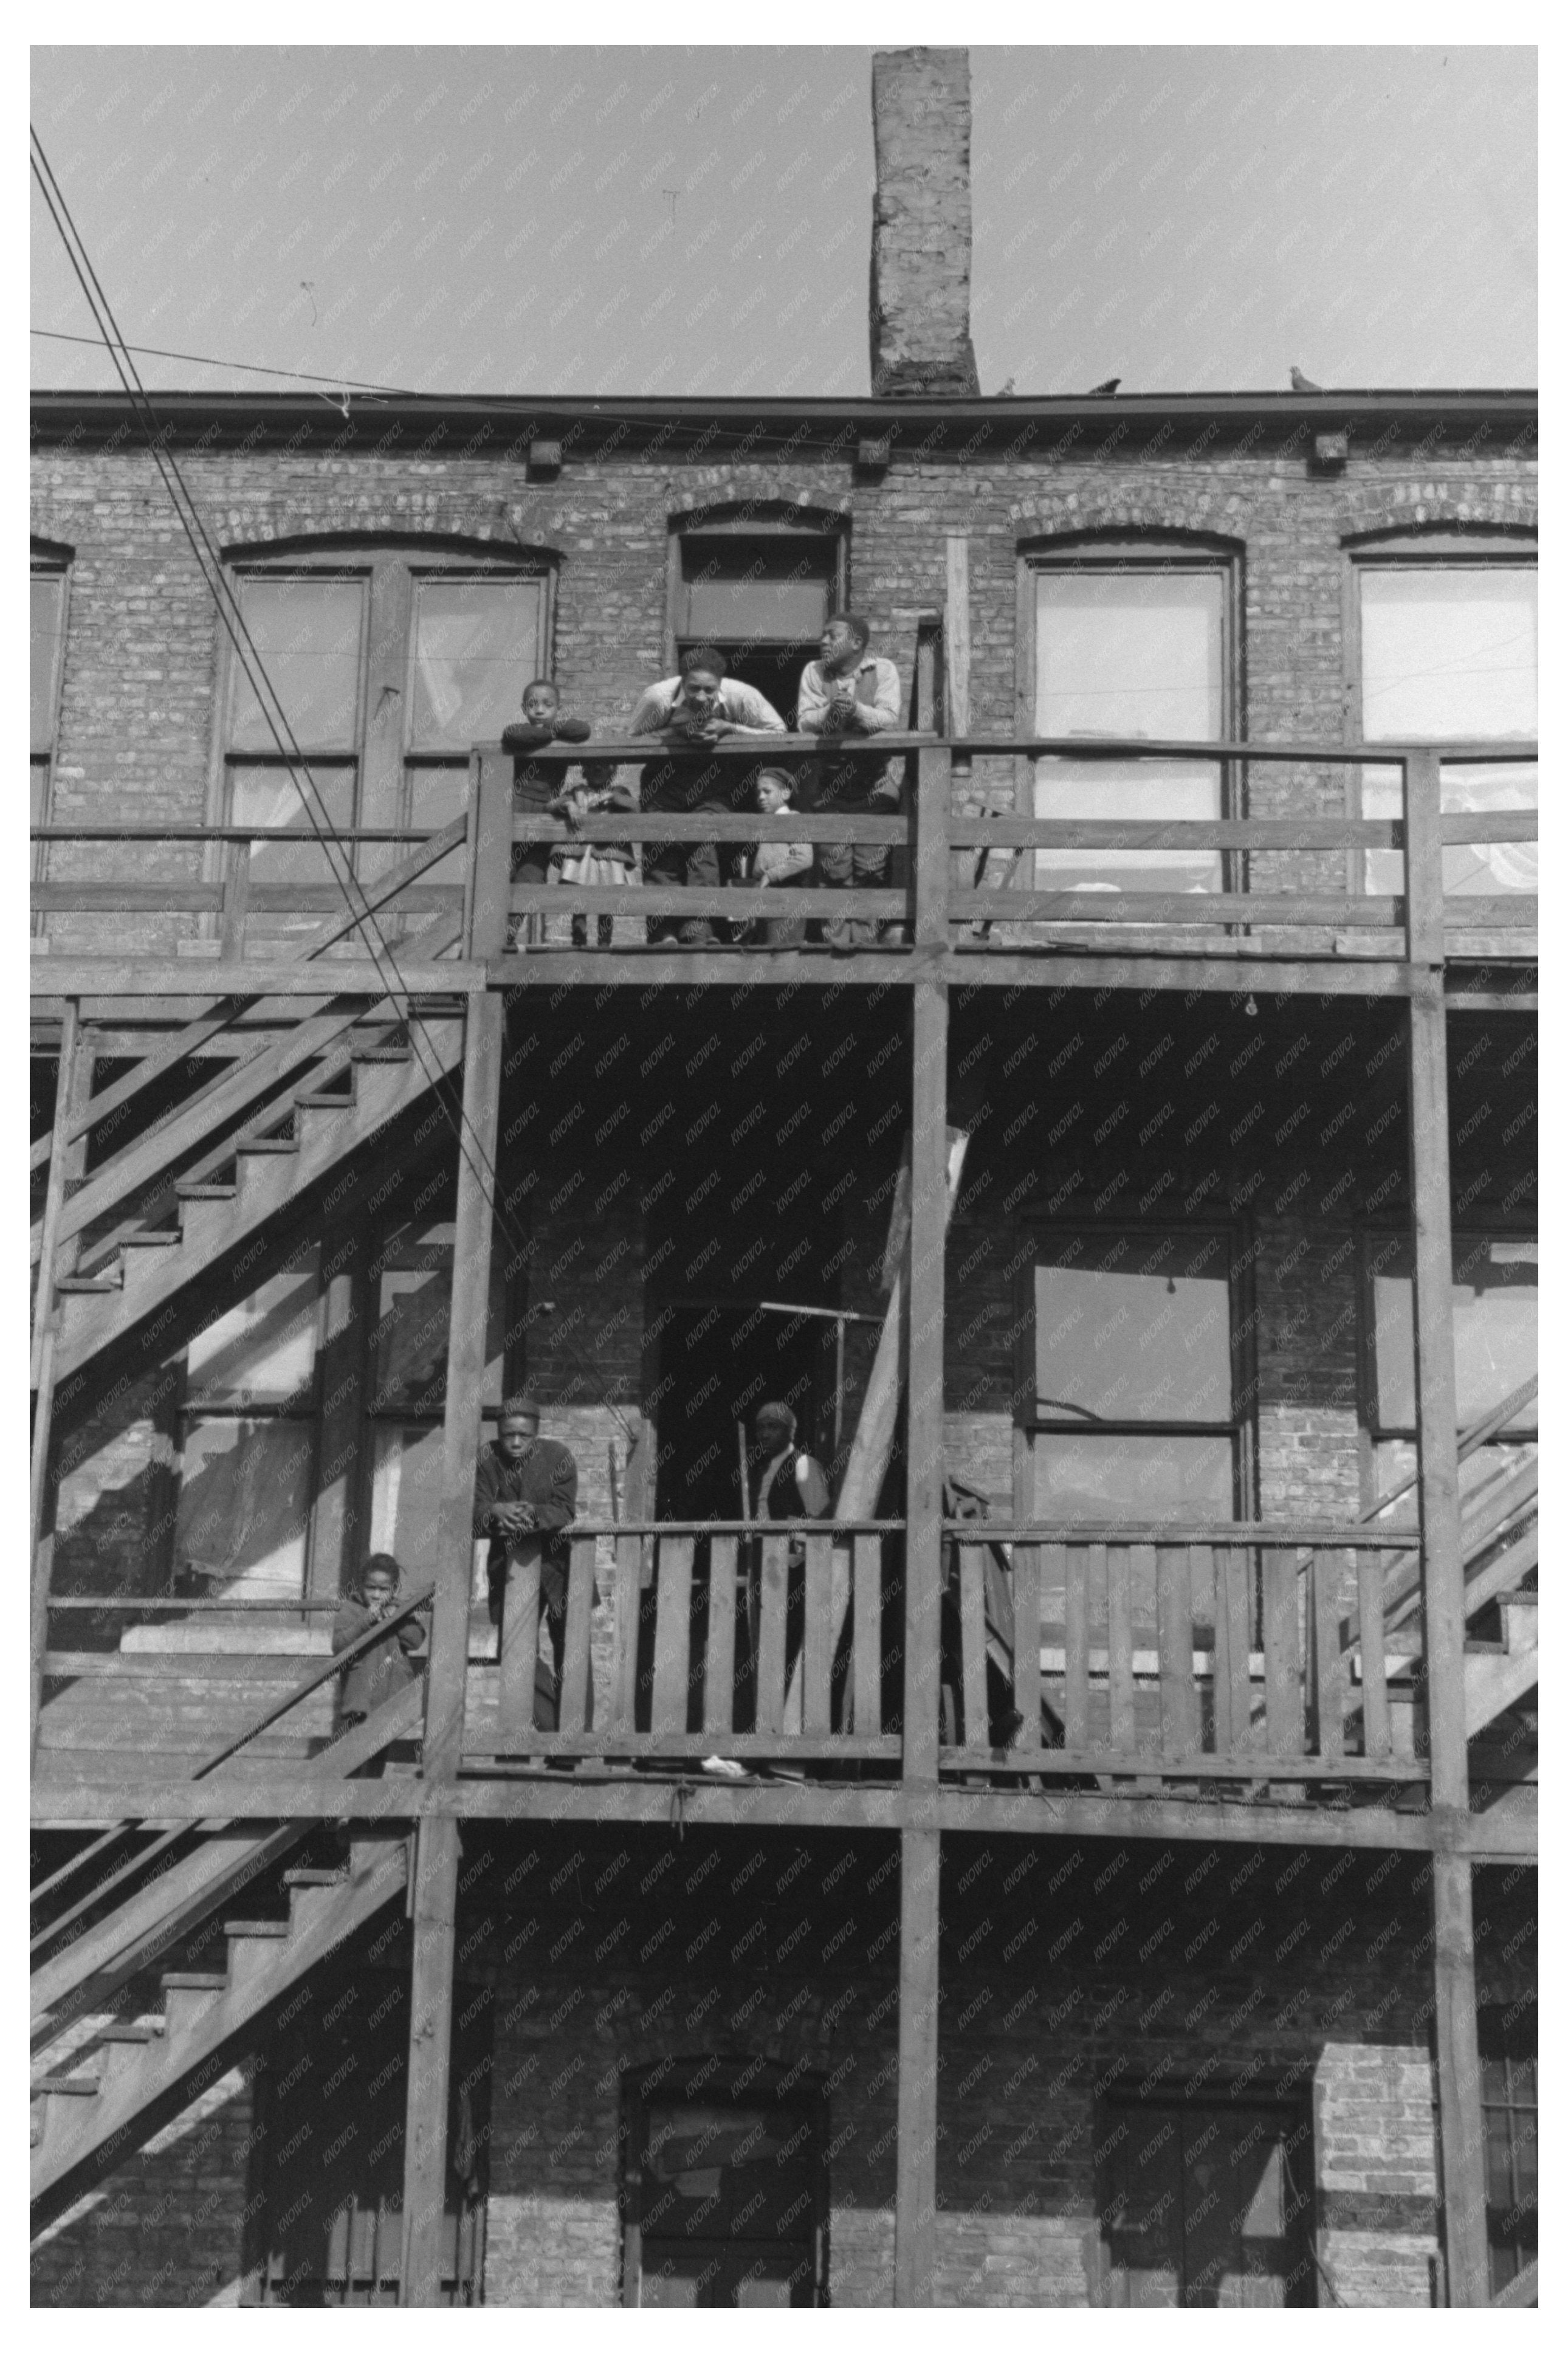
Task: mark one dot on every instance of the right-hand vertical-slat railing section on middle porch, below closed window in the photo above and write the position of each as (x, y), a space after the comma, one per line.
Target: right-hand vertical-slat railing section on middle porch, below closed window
(1214, 1653)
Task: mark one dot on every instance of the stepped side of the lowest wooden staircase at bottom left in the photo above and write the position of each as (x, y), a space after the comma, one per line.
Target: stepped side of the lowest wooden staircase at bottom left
(145, 2072)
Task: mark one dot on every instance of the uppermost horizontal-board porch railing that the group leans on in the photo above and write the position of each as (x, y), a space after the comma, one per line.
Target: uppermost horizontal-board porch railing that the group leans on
(941, 771)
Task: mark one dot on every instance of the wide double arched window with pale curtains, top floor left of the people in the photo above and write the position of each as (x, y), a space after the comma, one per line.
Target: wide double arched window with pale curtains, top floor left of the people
(390, 660)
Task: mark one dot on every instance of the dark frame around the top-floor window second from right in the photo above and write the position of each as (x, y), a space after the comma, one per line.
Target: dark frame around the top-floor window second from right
(1143, 552)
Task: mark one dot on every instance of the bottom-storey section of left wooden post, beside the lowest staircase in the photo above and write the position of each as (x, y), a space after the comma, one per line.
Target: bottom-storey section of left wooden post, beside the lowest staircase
(430, 2062)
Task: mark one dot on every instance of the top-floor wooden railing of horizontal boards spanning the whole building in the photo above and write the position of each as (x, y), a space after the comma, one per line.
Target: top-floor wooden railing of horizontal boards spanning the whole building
(936, 902)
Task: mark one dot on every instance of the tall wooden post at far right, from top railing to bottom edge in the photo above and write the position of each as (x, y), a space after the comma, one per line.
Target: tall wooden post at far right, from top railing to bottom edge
(1442, 1545)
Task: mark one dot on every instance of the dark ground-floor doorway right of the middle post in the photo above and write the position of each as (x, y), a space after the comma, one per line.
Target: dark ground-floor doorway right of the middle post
(1202, 2206)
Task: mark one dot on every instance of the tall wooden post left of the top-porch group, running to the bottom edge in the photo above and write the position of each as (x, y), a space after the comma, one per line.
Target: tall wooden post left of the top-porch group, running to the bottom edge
(430, 2053)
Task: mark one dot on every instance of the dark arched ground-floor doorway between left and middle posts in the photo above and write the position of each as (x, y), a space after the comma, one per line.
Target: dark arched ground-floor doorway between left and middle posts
(726, 2192)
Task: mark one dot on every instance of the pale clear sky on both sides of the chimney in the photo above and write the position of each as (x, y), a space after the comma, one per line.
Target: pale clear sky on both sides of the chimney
(658, 222)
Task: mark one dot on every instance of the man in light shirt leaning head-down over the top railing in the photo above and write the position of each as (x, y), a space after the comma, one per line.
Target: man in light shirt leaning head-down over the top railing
(689, 712)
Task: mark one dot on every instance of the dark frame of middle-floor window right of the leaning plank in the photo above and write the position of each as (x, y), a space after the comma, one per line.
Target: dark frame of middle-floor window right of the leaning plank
(1242, 1429)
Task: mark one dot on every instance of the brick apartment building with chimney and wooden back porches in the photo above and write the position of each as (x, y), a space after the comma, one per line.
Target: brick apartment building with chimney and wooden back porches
(1134, 1907)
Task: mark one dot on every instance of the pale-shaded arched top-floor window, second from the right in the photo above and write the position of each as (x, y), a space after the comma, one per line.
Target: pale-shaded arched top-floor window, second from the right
(1129, 636)
